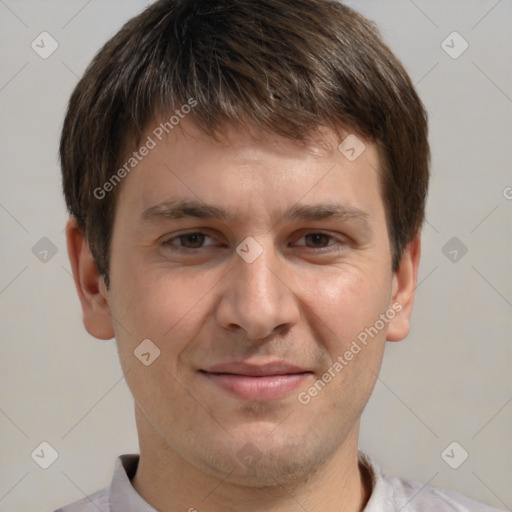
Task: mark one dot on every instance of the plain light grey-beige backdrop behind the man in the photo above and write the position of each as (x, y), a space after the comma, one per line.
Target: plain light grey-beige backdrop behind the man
(448, 382)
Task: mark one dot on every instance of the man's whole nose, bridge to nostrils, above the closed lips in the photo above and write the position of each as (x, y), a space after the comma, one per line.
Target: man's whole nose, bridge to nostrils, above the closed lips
(255, 298)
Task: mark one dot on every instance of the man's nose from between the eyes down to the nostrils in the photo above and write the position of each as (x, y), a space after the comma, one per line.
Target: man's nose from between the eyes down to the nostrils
(257, 298)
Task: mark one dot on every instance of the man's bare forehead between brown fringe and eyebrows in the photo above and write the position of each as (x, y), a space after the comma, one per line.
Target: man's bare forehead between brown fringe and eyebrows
(252, 168)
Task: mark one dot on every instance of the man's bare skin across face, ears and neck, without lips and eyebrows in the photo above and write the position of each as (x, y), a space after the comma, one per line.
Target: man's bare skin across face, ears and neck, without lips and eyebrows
(303, 300)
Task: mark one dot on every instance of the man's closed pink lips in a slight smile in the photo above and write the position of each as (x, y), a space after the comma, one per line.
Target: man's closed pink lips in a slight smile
(257, 382)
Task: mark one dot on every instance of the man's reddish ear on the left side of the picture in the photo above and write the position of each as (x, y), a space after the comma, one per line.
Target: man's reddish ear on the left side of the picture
(89, 284)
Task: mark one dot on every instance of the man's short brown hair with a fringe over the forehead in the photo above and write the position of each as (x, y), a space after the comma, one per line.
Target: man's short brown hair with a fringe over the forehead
(287, 67)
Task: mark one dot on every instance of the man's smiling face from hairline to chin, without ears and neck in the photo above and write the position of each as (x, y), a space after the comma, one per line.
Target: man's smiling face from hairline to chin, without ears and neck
(297, 293)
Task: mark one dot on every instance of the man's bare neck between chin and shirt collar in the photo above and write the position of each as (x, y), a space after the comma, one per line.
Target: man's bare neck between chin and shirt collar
(169, 483)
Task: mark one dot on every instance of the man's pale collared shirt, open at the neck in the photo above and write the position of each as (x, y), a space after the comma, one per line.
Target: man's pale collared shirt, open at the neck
(389, 494)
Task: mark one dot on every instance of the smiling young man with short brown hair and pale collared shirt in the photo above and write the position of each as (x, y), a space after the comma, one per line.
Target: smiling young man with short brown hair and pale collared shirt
(246, 181)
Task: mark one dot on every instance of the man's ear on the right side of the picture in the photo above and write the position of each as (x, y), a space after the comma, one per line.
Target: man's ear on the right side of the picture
(403, 290)
